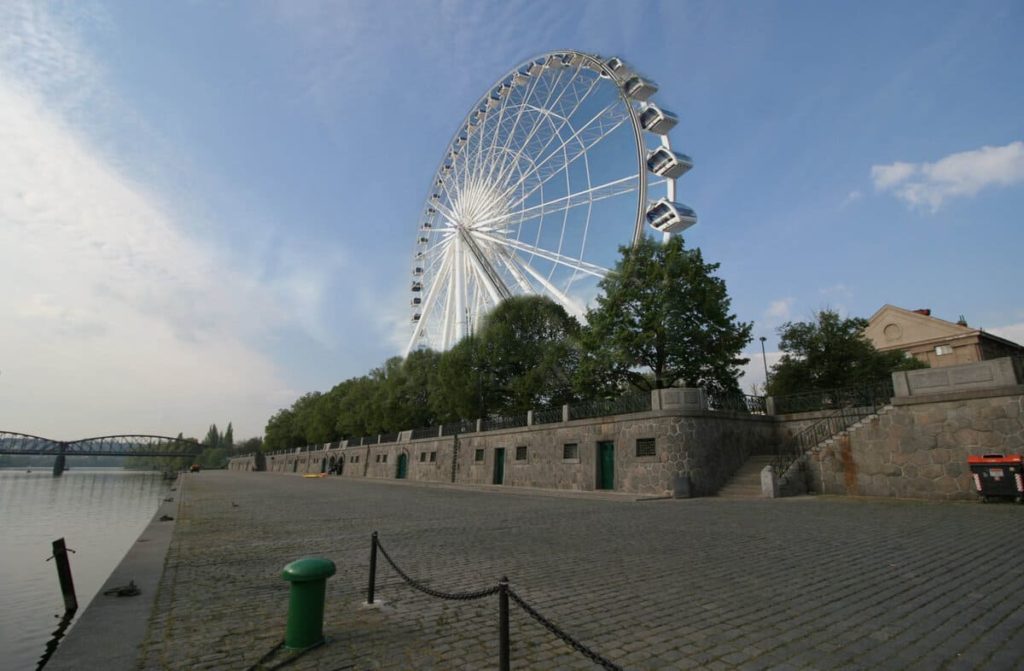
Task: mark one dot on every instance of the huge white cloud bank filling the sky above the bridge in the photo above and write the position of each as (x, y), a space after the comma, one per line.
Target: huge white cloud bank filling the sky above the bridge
(114, 322)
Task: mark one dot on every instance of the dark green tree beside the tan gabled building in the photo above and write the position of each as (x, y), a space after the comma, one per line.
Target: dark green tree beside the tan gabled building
(831, 353)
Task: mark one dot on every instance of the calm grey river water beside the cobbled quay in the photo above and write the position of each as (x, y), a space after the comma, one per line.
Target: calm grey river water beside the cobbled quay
(100, 513)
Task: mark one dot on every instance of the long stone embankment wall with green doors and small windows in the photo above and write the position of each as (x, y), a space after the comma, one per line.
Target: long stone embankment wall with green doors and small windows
(695, 453)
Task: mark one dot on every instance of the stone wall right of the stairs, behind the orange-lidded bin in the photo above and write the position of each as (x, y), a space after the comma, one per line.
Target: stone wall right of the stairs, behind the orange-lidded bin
(919, 448)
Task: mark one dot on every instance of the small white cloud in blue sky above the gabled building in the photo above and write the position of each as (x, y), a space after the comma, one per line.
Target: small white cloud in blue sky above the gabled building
(963, 175)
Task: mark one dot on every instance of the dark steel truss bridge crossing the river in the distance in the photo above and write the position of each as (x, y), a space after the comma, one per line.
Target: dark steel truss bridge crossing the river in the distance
(105, 446)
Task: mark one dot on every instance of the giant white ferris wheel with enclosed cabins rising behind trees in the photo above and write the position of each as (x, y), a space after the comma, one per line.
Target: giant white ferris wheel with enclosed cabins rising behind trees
(559, 164)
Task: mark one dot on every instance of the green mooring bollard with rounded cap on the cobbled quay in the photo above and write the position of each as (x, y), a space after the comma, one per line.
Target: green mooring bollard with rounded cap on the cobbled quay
(306, 606)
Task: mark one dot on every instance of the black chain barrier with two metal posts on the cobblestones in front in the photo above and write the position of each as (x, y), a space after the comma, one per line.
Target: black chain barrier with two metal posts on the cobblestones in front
(505, 596)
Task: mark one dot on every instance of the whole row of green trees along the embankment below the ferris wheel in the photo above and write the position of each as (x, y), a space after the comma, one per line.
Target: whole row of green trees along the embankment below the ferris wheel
(664, 321)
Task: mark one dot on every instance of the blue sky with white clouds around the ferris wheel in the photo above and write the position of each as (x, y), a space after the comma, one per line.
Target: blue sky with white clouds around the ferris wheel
(209, 209)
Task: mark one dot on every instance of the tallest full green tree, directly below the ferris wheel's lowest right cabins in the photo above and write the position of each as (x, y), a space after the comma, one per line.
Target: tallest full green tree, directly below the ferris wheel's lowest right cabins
(664, 321)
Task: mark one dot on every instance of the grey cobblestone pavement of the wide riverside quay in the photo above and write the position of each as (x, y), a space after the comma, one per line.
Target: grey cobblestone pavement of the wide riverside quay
(809, 583)
